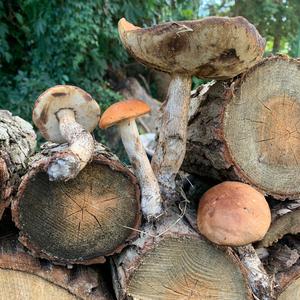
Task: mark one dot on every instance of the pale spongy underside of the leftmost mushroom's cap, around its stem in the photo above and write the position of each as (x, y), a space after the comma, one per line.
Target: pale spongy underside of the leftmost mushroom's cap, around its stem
(86, 109)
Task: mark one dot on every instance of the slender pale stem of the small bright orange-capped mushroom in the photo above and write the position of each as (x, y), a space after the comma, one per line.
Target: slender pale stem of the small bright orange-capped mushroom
(151, 202)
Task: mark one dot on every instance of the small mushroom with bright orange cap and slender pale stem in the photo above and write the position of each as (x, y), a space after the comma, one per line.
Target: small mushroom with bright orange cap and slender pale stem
(123, 114)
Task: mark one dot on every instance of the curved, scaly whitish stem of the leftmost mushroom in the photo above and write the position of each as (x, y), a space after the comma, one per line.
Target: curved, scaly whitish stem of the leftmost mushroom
(65, 167)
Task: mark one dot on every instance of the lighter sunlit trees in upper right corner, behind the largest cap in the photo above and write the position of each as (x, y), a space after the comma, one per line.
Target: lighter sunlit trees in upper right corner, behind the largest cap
(277, 20)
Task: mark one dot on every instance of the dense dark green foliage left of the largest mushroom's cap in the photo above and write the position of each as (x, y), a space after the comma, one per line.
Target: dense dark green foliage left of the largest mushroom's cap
(44, 43)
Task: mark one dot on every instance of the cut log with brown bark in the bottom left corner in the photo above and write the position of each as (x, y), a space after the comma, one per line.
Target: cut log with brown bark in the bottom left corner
(25, 277)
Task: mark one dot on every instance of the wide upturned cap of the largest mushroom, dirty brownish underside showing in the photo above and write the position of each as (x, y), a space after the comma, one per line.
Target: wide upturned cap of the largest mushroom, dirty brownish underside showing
(212, 48)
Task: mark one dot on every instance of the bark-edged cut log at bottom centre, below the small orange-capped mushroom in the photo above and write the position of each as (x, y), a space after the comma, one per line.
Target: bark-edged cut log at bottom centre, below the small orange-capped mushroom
(171, 261)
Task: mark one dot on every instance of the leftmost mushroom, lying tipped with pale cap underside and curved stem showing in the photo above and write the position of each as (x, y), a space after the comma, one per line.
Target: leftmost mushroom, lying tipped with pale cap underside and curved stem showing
(67, 113)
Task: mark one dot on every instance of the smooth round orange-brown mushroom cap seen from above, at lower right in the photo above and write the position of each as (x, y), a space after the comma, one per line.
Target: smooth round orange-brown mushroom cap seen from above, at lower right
(233, 214)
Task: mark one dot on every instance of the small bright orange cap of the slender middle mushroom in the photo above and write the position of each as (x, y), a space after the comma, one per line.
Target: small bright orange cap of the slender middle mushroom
(123, 110)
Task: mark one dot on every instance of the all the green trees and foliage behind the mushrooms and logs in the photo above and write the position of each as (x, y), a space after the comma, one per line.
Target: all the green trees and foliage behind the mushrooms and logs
(44, 43)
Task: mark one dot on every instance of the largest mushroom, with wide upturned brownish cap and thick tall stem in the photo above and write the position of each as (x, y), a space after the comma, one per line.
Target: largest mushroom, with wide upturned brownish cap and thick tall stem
(212, 48)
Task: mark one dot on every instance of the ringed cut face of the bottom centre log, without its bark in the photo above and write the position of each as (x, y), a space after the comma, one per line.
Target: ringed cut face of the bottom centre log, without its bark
(181, 268)
